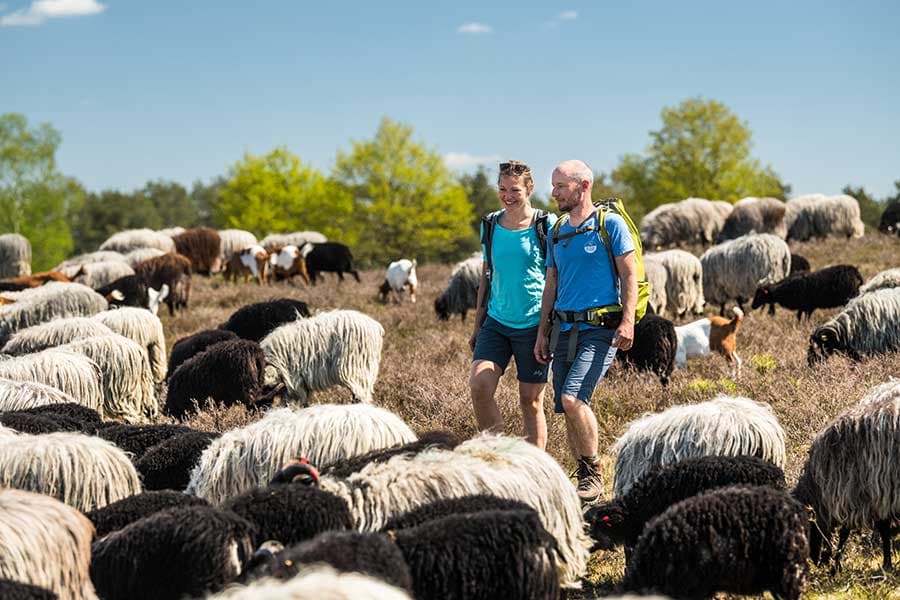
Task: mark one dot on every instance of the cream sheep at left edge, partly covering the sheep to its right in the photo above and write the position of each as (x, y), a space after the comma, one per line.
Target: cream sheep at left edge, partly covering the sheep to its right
(75, 375)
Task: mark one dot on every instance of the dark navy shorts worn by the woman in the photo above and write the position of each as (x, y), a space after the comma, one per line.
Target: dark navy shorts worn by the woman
(498, 343)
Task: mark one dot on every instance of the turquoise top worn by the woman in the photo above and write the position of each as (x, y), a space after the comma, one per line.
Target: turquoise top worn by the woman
(519, 272)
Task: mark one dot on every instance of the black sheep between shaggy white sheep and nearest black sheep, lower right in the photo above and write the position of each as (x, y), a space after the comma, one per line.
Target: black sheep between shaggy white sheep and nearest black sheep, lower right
(621, 520)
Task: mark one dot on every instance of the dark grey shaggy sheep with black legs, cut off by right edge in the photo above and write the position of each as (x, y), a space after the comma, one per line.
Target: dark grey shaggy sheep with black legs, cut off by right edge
(850, 476)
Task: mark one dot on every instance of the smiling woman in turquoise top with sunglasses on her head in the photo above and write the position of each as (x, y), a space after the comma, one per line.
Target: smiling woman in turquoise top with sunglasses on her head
(507, 326)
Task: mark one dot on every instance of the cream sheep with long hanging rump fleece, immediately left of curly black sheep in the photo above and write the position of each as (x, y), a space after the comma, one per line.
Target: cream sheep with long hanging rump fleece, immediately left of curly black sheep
(127, 380)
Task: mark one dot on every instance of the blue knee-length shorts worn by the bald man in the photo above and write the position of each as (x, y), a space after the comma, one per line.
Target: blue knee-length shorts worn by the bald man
(592, 358)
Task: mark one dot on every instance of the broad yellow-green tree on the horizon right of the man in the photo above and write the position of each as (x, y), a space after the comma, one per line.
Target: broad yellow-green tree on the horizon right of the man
(701, 150)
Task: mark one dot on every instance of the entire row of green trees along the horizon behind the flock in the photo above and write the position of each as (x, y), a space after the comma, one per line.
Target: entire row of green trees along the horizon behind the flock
(386, 197)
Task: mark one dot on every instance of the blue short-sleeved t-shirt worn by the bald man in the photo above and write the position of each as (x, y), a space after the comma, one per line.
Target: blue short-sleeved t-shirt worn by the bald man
(585, 277)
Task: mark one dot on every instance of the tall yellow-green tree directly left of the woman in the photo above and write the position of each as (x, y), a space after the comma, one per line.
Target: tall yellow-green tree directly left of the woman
(407, 197)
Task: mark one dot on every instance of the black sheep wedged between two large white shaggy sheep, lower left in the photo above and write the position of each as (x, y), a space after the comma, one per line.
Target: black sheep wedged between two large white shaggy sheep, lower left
(168, 464)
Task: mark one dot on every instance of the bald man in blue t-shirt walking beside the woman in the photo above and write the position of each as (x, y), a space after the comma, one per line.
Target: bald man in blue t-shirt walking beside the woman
(592, 312)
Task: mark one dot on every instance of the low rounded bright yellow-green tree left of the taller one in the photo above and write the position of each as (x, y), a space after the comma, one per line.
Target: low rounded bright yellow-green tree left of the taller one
(277, 193)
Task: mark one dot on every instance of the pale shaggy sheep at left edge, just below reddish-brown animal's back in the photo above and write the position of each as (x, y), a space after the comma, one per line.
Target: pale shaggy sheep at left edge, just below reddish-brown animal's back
(52, 301)
